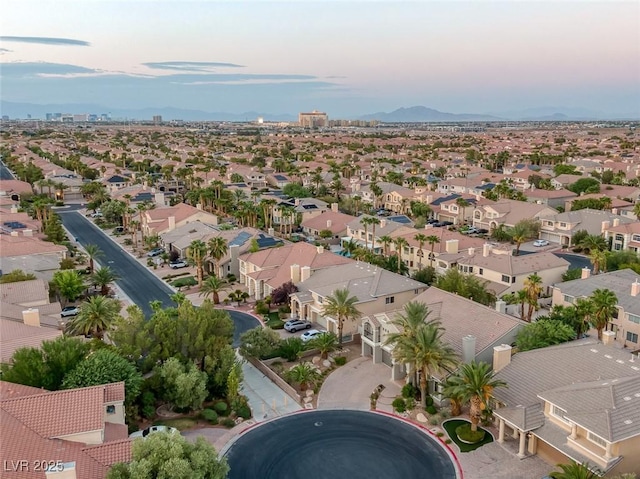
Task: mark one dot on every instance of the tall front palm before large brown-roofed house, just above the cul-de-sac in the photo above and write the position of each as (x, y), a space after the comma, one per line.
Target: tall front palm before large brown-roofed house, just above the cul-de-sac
(427, 353)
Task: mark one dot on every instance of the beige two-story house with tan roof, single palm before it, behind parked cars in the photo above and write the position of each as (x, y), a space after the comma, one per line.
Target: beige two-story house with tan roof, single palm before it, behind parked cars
(377, 290)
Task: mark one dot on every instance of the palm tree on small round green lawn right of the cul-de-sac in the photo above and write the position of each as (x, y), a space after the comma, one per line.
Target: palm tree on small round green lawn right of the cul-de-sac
(475, 382)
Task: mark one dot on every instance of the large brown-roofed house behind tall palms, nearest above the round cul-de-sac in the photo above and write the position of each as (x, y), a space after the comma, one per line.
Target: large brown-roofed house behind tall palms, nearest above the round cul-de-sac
(470, 328)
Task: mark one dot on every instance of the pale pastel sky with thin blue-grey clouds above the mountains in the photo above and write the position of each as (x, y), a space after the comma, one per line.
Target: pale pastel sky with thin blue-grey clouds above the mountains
(346, 58)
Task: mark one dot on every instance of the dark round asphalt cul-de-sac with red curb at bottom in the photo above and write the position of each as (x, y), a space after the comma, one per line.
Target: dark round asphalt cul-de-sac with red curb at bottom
(326, 444)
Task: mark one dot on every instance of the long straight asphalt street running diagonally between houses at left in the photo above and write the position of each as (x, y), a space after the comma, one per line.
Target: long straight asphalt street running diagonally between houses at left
(136, 281)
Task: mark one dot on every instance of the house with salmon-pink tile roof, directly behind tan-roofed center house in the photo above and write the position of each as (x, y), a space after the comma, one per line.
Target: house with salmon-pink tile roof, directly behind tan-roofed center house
(263, 271)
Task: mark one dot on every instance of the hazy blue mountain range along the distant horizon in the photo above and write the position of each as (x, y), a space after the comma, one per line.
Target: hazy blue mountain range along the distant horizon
(414, 114)
